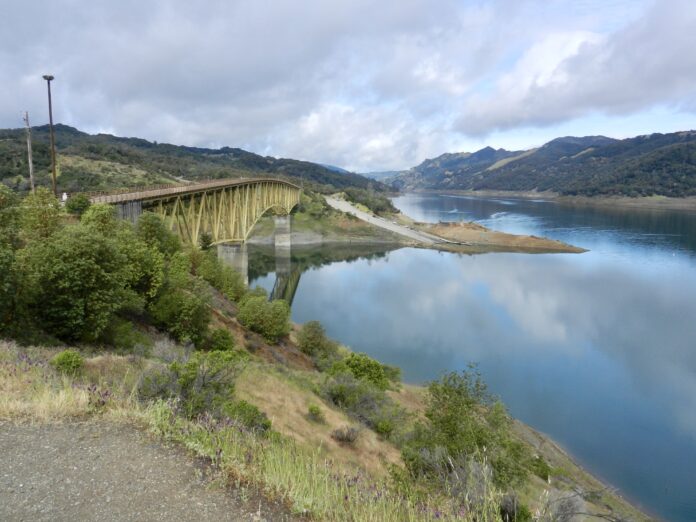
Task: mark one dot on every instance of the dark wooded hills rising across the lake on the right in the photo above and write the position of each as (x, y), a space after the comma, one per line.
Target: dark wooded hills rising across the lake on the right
(656, 164)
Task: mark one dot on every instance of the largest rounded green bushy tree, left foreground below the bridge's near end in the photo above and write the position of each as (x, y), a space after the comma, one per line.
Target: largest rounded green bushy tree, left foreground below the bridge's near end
(73, 282)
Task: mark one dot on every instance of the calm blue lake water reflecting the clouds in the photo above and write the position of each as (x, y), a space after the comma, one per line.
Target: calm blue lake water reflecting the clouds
(598, 350)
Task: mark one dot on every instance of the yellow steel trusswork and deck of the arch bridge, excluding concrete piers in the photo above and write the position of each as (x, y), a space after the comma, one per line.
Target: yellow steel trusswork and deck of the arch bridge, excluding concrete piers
(226, 209)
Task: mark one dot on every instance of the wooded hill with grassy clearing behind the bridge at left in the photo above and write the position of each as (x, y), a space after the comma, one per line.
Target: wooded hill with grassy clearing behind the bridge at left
(102, 162)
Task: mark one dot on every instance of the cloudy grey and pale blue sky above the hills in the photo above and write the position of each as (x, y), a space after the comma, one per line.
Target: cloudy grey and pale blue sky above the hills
(366, 85)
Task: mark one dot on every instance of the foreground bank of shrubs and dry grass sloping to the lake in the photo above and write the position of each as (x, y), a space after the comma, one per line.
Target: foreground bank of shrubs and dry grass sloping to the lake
(124, 322)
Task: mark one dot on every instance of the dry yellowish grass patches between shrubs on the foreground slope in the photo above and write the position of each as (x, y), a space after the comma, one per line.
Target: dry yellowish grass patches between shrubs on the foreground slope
(299, 463)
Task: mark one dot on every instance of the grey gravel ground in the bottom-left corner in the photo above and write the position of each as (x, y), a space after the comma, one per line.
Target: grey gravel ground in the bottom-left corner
(101, 471)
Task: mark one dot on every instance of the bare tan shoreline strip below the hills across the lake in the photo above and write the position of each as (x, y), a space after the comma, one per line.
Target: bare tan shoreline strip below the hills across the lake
(642, 203)
